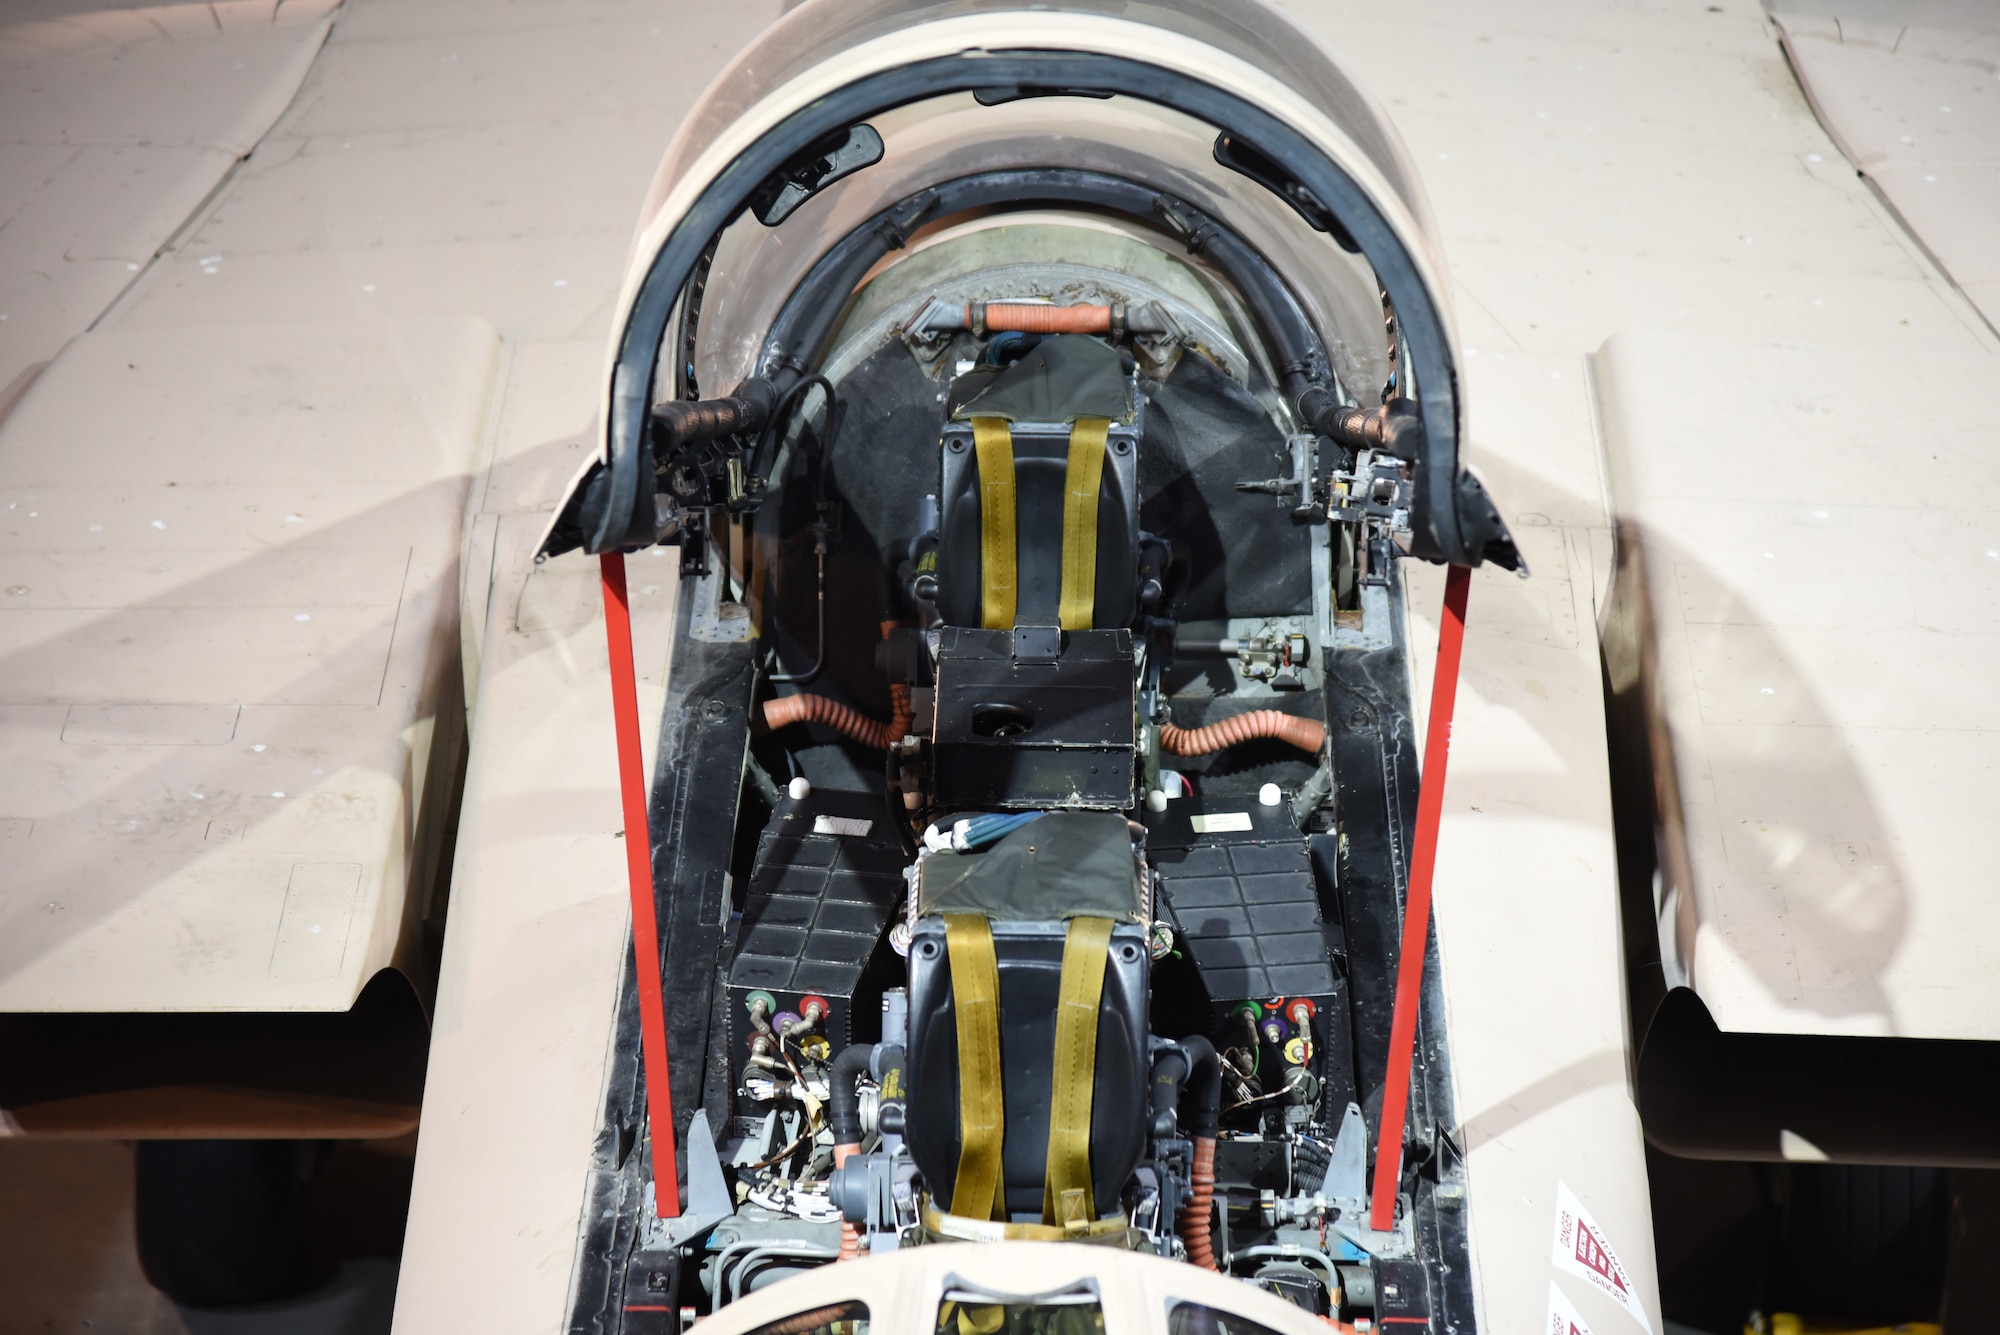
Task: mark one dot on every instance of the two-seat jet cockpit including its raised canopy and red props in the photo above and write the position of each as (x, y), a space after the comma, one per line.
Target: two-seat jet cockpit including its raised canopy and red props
(1037, 409)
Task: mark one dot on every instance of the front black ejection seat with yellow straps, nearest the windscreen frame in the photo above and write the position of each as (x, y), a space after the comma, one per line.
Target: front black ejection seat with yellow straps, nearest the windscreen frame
(1029, 980)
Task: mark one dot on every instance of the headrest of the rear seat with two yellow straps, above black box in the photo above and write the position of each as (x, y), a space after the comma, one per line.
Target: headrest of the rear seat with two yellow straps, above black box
(1039, 493)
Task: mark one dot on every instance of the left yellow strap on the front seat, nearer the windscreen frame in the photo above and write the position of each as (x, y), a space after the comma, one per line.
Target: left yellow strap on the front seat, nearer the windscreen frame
(969, 942)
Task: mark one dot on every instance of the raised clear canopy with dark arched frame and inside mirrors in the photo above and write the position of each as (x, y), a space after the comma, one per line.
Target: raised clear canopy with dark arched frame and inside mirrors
(853, 125)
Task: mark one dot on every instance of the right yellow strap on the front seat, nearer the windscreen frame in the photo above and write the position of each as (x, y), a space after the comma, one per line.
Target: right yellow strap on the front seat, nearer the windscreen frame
(1069, 1200)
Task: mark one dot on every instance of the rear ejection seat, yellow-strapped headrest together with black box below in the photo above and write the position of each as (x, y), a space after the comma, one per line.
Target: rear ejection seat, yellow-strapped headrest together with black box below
(1039, 555)
